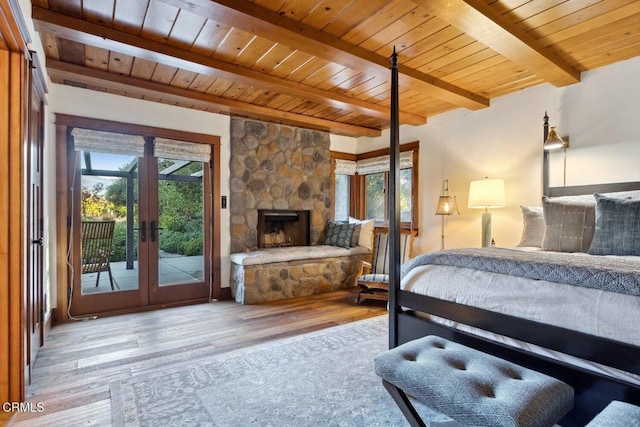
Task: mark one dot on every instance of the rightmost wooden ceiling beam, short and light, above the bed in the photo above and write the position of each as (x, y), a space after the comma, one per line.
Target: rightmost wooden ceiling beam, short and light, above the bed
(477, 19)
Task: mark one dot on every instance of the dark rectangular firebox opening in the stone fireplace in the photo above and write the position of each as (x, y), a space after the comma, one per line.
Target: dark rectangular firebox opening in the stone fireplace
(283, 228)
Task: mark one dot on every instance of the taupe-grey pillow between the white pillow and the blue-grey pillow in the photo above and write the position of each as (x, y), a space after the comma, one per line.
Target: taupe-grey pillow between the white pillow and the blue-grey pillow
(569, 224)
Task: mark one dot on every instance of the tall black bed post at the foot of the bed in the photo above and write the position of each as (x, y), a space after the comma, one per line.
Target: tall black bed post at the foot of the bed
(394, 205)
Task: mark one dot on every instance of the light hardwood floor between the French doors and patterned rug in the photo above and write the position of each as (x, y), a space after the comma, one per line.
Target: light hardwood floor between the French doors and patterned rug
(74, 368)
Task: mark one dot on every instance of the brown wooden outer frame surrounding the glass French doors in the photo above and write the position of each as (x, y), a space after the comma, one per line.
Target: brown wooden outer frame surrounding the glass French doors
(64, 124)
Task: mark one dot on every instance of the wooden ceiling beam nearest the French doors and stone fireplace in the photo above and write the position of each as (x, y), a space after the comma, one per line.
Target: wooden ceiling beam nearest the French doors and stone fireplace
(212, 103)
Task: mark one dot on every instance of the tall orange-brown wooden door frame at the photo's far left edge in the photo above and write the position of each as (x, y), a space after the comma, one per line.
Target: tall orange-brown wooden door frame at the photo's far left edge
(13, 304)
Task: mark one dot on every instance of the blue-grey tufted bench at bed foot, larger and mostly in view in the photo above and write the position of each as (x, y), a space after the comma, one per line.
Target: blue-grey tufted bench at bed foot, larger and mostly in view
(470, 386)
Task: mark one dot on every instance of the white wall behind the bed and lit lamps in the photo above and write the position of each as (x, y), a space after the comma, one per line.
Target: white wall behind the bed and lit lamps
(600, 115)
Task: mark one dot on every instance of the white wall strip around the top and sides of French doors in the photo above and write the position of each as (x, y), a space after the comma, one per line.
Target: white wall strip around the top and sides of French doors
(86, 103)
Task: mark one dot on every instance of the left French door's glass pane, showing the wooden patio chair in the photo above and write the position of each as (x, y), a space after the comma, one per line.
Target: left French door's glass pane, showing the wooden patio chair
(109, 214)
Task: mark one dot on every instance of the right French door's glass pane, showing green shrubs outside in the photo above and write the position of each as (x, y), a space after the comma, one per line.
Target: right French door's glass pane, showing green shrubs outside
(180, 227)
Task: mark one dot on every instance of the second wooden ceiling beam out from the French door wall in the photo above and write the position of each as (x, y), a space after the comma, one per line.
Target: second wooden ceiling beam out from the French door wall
(110, 39)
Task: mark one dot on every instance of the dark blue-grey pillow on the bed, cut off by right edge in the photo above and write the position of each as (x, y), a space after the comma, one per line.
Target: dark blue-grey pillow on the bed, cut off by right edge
(617, 229)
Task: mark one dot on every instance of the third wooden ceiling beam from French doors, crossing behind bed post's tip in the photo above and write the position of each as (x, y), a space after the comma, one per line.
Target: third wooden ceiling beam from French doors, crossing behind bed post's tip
(254, 19)
